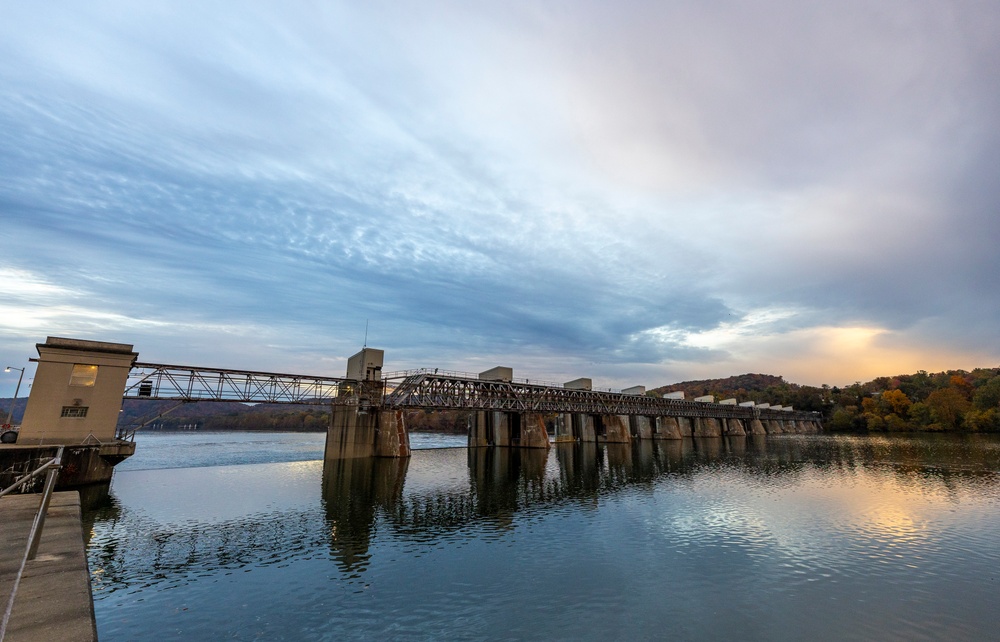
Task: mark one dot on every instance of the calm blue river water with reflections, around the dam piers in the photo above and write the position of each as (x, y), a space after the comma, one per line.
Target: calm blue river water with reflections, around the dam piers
(248, 536)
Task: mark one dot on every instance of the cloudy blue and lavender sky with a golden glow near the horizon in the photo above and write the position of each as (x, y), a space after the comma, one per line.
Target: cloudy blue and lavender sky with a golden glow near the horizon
(638, 192)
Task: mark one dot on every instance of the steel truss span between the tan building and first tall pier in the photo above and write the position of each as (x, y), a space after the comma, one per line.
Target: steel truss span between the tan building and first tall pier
(187, 383)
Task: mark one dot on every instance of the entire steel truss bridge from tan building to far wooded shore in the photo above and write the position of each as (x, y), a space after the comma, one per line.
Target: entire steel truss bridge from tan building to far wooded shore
(417, 390)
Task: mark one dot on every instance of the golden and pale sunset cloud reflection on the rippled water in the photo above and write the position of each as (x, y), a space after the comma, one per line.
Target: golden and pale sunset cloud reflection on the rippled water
(811, 526)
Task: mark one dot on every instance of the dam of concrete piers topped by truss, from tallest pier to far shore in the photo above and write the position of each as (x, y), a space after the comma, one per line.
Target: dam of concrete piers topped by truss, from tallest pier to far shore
(509, 414)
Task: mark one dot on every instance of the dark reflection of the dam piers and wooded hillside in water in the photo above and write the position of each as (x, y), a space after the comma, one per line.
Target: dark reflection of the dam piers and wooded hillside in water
(358, 494)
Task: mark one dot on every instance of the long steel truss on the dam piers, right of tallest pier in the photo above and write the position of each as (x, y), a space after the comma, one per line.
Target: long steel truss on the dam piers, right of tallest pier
(437, 392)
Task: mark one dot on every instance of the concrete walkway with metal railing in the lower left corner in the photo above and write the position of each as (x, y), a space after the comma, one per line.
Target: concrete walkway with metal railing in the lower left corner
(54, 600)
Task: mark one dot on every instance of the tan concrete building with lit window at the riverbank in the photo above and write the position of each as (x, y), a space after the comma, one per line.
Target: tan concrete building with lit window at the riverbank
(77, 392)
